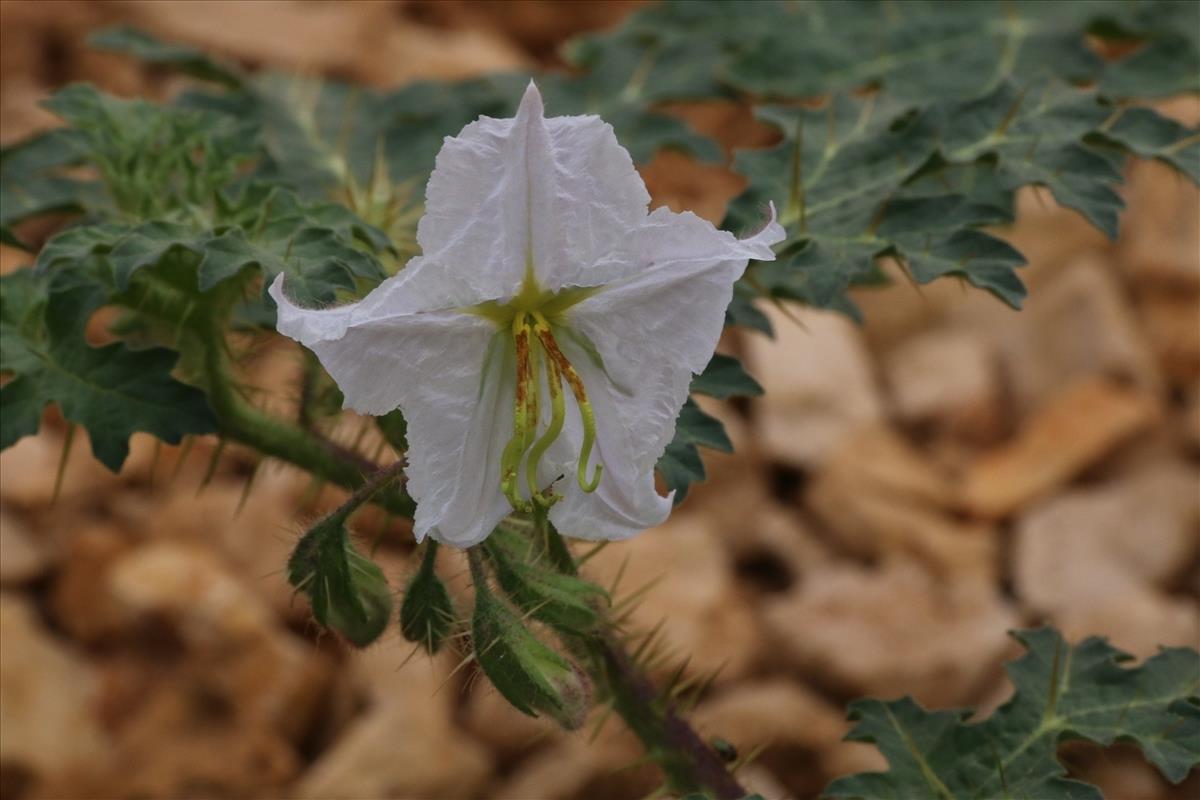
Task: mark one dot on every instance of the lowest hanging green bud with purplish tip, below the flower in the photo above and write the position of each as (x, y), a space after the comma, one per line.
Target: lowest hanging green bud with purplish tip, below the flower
(531, 676)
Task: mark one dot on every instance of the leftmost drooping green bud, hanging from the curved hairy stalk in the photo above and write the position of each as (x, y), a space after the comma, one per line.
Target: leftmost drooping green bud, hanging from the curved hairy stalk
(349, 592)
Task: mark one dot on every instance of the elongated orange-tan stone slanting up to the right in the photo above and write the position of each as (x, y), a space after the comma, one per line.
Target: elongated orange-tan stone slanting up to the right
(1069, 435)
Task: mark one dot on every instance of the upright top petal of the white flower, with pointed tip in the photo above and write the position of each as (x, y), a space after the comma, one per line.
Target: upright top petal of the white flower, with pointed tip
(549, 194)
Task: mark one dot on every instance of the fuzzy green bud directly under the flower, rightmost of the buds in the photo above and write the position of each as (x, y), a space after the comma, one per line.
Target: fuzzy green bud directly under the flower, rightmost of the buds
(562, 601)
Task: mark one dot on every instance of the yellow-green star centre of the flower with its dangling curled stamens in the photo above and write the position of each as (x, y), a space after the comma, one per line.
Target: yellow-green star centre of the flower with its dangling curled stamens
(530, 320)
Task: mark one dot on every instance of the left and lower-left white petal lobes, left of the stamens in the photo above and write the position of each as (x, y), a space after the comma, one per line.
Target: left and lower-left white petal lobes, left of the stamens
(454, 388)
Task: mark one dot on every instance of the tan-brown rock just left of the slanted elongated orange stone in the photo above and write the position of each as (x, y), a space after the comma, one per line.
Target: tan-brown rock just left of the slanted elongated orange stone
(880, 497)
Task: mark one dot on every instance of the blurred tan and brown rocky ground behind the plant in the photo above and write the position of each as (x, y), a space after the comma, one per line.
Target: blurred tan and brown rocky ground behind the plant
(904, 495)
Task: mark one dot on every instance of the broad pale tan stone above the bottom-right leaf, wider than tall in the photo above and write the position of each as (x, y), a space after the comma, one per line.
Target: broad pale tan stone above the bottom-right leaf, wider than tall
(893, 631)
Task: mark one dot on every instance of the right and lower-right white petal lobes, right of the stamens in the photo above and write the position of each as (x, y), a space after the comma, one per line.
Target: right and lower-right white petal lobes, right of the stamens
(652, 332)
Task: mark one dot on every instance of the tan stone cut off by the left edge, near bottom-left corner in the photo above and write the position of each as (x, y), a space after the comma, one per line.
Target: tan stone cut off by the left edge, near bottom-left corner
(49, 699)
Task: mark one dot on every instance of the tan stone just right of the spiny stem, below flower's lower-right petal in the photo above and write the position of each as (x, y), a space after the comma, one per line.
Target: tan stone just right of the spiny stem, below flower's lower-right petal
(691, 590)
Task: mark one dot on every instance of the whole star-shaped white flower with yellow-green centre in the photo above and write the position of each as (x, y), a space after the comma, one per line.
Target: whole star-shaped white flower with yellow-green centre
(543, 345)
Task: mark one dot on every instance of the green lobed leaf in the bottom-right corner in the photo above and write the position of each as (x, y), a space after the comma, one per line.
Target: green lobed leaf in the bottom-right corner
(1063, 693)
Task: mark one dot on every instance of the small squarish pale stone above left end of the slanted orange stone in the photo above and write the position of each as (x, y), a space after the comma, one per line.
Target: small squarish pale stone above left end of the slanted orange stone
(950, 381)
